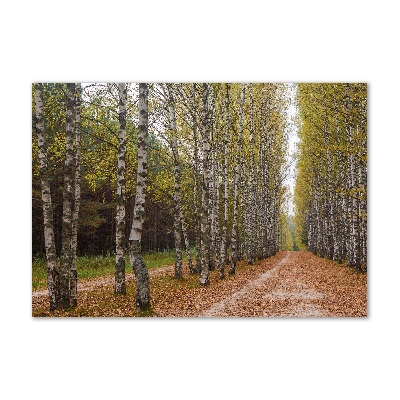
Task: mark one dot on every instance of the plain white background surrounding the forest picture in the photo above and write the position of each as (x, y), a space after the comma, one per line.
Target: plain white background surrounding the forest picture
(285, 41)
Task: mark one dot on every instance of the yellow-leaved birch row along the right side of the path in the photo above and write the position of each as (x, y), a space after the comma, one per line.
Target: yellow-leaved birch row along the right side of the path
(331, 188)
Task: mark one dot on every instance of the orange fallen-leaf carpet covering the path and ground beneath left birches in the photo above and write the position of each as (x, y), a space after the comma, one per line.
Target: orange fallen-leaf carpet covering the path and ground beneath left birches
(289, 284)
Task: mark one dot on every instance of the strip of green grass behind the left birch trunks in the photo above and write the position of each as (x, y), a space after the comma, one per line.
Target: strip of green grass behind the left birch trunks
(96, 266)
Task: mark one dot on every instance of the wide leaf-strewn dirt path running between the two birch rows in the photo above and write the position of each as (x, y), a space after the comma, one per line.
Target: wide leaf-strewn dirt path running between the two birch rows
(299, 285)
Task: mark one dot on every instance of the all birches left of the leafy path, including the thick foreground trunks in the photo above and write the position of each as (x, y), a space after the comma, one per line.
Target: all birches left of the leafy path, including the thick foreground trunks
(214, 153)
